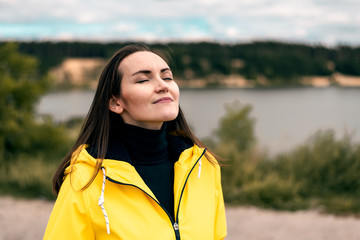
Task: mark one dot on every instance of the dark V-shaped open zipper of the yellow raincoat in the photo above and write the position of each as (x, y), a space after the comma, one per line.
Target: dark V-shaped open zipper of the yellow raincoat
(175, 224)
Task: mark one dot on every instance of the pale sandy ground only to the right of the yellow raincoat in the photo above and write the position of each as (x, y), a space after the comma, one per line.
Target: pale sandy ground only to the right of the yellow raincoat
(259, 224)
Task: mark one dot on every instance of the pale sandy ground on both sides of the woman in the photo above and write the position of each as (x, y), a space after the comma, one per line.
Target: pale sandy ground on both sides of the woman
(26, 219)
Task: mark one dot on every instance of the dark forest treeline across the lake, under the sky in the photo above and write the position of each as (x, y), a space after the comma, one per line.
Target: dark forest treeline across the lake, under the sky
(278, 62)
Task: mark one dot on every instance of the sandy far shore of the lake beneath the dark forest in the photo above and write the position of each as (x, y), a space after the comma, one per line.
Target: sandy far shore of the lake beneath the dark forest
(82, 73)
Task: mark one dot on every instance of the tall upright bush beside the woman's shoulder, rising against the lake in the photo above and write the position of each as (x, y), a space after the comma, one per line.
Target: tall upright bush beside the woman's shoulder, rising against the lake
(235, 139)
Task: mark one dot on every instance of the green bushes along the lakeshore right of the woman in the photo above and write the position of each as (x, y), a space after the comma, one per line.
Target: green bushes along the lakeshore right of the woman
(321, 173)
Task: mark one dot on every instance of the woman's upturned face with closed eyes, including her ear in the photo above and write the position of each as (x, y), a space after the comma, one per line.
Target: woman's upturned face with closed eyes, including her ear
(149, 95)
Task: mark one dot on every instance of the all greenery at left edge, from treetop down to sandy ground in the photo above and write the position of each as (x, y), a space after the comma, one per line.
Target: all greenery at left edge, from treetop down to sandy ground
(29, 144)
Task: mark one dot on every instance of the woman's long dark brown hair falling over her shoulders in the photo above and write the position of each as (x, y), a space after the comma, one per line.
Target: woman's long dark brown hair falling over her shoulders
(95, 129)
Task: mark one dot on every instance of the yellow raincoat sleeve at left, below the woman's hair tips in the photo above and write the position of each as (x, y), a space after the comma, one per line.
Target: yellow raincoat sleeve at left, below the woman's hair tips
(70, 216)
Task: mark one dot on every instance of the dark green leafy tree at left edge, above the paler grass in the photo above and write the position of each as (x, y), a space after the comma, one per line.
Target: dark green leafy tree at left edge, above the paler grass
(21, 132)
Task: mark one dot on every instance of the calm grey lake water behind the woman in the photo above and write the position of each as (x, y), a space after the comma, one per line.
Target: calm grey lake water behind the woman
(284, 117)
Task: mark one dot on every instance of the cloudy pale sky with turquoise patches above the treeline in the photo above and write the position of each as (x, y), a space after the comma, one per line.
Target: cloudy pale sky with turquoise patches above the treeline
(327, 22)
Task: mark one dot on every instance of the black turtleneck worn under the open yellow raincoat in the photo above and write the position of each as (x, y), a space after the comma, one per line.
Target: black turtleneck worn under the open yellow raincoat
(148, 152)
